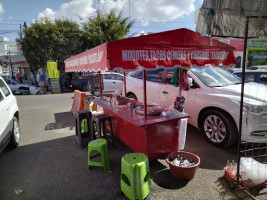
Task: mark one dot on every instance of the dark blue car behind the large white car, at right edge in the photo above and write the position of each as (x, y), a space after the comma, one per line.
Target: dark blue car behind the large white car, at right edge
(258, 76)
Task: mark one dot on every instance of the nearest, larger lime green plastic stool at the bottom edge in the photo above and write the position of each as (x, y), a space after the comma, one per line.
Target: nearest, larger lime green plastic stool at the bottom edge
(135, 175)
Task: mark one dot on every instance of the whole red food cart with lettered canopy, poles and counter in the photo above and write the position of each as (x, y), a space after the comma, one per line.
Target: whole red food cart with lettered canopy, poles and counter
(154, 135)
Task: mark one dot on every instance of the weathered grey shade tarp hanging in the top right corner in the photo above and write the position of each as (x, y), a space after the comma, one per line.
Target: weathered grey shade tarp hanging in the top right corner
(226, 18)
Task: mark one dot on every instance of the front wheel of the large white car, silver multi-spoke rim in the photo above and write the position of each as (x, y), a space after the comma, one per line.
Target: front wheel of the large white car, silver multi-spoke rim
(218, 128)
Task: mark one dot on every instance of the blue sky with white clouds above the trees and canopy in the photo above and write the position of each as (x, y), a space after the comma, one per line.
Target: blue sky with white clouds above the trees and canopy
(150, 16)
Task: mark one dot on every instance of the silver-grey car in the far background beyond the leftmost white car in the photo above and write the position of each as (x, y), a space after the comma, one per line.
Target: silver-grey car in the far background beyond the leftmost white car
(20, 88)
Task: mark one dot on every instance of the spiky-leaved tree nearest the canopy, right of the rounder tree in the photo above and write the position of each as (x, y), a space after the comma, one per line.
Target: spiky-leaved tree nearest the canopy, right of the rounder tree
(105, 27)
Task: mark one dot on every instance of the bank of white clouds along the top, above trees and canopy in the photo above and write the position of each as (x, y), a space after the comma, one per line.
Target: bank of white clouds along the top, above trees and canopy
(145, 11)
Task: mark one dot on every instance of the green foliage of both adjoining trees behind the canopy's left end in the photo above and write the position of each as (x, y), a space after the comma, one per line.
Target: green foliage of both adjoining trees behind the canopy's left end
(45, 40)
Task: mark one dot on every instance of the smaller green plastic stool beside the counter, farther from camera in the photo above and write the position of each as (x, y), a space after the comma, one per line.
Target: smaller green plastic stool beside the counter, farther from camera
(100, 145)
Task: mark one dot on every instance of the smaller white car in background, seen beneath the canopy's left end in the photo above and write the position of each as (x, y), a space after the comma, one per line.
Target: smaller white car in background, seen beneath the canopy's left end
(111, 81)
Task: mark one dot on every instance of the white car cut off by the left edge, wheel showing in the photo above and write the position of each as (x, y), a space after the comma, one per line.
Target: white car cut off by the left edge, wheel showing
(9, 117)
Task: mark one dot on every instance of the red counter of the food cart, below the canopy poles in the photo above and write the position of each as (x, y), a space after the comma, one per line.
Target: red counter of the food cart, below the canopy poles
(155, 136)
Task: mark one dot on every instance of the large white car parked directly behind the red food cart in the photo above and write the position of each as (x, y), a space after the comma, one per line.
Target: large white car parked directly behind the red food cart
(212, 102)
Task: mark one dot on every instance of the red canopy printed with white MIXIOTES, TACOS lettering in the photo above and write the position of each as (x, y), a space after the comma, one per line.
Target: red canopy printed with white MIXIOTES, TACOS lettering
(176, 48)
